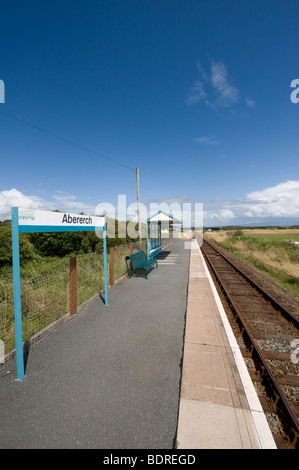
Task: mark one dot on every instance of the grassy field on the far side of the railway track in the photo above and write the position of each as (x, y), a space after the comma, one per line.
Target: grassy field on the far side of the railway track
(272, 251)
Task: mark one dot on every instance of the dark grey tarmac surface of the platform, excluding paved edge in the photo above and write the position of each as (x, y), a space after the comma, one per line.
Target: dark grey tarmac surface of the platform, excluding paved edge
(110, 377)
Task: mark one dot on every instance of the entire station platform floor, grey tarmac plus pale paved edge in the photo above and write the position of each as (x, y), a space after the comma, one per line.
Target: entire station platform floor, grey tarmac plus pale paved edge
(159, 368)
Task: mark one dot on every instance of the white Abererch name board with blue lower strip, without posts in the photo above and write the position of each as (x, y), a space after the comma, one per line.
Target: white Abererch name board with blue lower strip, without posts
(29, 220)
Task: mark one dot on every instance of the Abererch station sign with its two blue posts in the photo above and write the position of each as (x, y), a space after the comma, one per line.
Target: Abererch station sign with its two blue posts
(26, 221)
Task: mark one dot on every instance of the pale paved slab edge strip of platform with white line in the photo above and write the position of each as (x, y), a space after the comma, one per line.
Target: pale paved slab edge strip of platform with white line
(219, 407)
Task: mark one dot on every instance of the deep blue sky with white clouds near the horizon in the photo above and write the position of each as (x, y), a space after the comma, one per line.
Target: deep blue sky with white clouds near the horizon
(194, 93)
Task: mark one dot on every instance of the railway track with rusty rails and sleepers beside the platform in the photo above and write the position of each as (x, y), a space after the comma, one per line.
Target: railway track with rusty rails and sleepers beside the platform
(267, 334)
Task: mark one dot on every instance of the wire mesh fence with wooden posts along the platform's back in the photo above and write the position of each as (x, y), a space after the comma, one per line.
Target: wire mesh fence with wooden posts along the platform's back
(45, 297)
